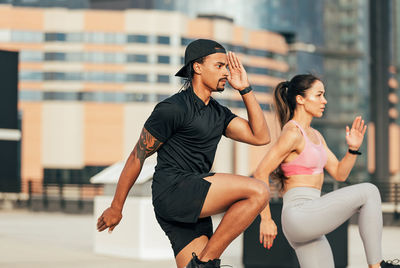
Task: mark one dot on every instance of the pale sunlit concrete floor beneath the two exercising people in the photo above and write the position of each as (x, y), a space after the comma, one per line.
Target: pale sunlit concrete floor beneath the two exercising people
(37, 239)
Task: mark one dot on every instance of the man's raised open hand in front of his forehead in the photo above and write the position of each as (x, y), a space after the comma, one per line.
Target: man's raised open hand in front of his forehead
(237, 77)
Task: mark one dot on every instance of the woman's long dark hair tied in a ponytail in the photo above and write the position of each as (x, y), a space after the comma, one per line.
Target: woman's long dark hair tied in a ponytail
(285, 103)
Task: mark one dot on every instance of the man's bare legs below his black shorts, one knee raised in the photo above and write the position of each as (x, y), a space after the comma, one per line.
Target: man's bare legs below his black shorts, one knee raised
(242, 198)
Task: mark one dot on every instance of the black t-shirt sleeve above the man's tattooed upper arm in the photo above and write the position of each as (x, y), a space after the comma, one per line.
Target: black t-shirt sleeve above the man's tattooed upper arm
(164, 121)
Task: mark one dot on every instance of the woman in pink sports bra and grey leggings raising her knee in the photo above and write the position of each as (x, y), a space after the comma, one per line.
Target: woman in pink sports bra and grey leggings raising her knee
(298, 158)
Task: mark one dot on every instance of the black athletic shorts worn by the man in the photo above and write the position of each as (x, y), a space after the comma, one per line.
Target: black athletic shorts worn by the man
(178, 209)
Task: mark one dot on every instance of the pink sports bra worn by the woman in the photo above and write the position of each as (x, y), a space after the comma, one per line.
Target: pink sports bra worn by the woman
(310, 161)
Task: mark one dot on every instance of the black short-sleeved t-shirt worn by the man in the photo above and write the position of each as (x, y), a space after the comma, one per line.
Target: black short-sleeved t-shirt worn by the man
(190, 132)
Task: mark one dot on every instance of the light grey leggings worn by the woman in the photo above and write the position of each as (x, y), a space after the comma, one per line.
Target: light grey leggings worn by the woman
(307, 217)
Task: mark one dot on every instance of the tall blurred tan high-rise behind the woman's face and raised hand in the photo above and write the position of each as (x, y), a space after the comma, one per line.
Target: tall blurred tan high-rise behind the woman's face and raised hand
(346, 75)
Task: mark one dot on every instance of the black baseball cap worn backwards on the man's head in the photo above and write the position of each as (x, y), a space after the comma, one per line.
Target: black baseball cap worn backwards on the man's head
(197, 49)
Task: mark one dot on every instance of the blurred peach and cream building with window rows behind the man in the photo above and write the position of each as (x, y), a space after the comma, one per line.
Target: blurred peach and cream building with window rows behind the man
(88, 79)
